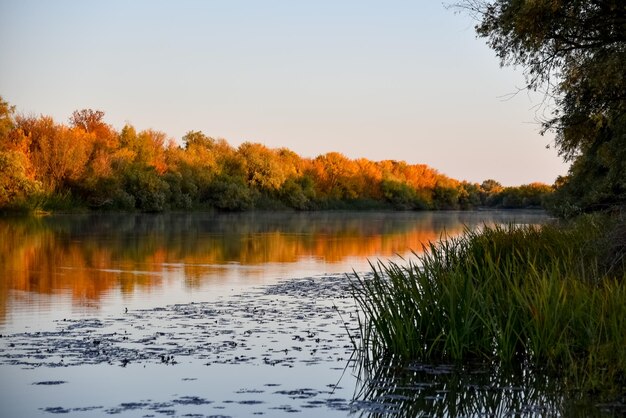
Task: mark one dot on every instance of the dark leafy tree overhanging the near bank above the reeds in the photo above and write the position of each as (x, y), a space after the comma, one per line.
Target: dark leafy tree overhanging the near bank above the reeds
(575, 52)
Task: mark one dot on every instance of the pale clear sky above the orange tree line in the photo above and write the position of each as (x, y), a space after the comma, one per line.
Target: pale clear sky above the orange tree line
(400, 80)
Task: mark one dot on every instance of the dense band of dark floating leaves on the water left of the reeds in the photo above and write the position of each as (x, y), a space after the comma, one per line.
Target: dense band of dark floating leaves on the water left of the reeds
(291, 322)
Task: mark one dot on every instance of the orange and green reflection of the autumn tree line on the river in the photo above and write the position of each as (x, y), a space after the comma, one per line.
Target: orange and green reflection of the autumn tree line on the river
(91, 255)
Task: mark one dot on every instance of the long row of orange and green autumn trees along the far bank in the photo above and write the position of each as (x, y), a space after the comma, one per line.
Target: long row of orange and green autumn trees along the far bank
(86, 163)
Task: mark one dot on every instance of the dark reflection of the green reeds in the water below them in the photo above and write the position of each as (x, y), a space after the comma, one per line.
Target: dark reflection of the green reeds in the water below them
(388, 389)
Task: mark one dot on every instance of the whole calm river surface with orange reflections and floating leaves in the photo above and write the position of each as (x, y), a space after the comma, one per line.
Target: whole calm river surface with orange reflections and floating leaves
(224, 315)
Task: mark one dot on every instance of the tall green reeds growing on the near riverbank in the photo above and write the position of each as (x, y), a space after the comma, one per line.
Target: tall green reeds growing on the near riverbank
(549, 299)
